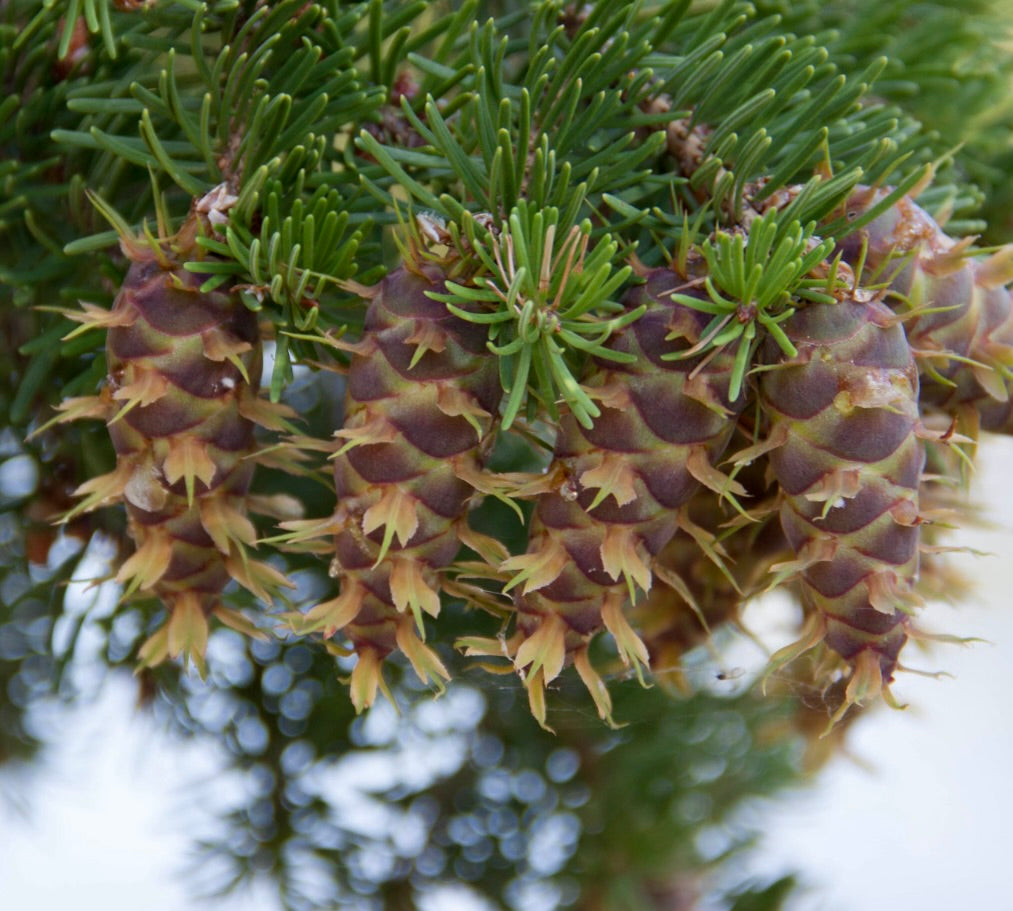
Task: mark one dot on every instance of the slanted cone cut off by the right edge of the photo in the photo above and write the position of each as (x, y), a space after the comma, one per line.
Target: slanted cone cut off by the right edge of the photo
(966, 343)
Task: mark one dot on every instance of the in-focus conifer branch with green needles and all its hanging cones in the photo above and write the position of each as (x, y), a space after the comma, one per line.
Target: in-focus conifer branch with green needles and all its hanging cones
(631, 309)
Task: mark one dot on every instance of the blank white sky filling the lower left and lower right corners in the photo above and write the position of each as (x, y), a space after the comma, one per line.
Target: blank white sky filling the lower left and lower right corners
(928, 827)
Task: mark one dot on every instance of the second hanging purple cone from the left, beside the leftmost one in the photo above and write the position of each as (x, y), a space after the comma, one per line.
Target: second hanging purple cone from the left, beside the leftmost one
(421, 396)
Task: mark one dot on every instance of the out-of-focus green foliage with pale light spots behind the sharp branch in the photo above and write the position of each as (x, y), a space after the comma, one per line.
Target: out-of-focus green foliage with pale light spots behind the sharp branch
(467, 789)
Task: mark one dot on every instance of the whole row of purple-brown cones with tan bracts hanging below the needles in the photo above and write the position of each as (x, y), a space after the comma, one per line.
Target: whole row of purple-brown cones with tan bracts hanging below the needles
(655, 523)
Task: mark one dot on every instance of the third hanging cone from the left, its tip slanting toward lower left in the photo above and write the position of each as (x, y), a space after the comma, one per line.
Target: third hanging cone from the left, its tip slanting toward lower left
(614, 494)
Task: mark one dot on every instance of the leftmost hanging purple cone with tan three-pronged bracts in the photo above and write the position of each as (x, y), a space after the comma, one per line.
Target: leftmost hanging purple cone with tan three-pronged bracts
(181, 403)
